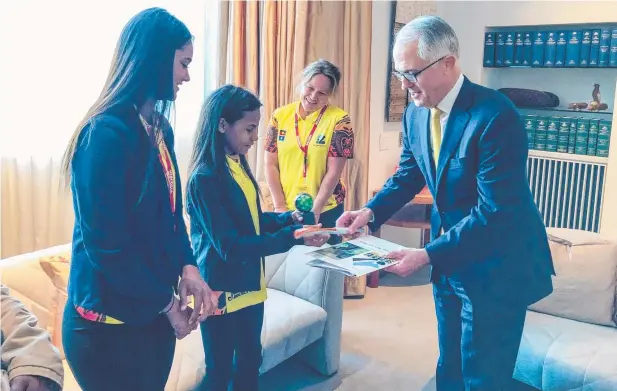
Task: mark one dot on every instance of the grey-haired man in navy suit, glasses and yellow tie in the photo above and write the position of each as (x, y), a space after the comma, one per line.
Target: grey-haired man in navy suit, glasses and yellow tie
(489, 252)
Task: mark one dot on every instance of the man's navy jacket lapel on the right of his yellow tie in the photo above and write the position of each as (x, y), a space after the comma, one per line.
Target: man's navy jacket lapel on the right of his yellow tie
(455, 127)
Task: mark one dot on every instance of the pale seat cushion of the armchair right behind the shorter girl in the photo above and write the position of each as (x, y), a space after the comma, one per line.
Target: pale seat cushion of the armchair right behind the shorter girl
(290, 324)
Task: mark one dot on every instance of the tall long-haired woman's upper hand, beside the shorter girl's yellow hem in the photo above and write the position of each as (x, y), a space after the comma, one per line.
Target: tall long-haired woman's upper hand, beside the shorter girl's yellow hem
(192, 284)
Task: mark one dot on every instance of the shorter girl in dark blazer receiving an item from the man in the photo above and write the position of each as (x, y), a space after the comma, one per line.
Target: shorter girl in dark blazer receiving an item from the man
(231, 236)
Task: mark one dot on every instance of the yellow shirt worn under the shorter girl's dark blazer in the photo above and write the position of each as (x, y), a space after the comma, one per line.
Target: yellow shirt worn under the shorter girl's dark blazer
(231, 302)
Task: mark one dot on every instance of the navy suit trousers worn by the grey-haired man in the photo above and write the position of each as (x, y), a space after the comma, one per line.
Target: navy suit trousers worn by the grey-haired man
(478, 340)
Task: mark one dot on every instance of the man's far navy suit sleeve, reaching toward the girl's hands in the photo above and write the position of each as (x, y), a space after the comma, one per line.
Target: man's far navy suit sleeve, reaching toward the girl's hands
(402, 186)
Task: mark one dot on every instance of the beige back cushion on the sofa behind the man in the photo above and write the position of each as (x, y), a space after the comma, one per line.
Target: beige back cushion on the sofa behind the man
(584, 287)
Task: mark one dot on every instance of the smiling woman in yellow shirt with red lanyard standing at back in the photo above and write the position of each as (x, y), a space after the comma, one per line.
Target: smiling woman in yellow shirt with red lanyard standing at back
(309, 142)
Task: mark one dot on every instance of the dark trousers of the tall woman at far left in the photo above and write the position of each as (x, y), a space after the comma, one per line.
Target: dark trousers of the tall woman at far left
(106, 357)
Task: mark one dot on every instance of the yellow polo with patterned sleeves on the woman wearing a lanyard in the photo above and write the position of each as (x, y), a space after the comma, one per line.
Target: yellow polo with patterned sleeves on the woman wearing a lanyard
(333, 137)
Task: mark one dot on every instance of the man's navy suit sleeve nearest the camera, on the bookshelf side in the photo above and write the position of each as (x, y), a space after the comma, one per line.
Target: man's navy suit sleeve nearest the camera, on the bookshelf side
(501, 170)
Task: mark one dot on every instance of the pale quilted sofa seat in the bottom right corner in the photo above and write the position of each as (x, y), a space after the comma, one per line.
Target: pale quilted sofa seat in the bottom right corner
(558, 354)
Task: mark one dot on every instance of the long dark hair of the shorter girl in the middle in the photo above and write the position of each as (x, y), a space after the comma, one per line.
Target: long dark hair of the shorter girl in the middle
(230, 103)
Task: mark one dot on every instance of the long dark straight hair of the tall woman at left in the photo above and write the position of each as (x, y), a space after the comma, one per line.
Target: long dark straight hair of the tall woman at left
(141, 69)
